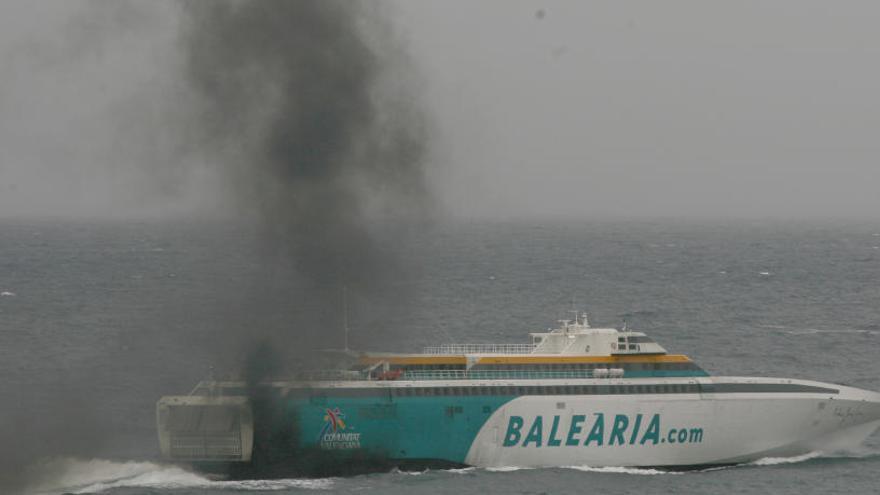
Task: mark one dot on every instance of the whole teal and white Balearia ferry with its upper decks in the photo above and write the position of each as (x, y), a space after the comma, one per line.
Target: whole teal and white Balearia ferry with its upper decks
(571, 396)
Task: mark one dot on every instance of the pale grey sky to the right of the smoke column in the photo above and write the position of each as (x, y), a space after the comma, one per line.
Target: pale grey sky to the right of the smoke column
(655, 108)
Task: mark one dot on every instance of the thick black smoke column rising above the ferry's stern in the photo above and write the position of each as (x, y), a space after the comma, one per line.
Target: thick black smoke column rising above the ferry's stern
(305, 108)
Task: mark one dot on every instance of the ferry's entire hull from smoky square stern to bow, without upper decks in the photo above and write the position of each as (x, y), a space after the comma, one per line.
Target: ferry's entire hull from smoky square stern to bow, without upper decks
(702, 421)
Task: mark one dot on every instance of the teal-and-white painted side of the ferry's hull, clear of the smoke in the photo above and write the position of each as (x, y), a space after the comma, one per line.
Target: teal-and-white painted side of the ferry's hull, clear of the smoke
(715, 421)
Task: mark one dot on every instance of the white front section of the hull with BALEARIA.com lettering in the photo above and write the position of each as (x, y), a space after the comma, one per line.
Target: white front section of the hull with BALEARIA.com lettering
(689, 430)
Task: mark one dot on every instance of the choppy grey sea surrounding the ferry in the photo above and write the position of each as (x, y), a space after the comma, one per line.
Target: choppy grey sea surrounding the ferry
(99, 319)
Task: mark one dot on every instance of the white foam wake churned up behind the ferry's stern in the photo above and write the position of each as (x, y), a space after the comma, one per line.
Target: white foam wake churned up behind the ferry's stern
(96, 476)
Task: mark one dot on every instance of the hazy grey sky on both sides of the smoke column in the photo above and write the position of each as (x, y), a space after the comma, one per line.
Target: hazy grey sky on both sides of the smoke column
(730, 109)
